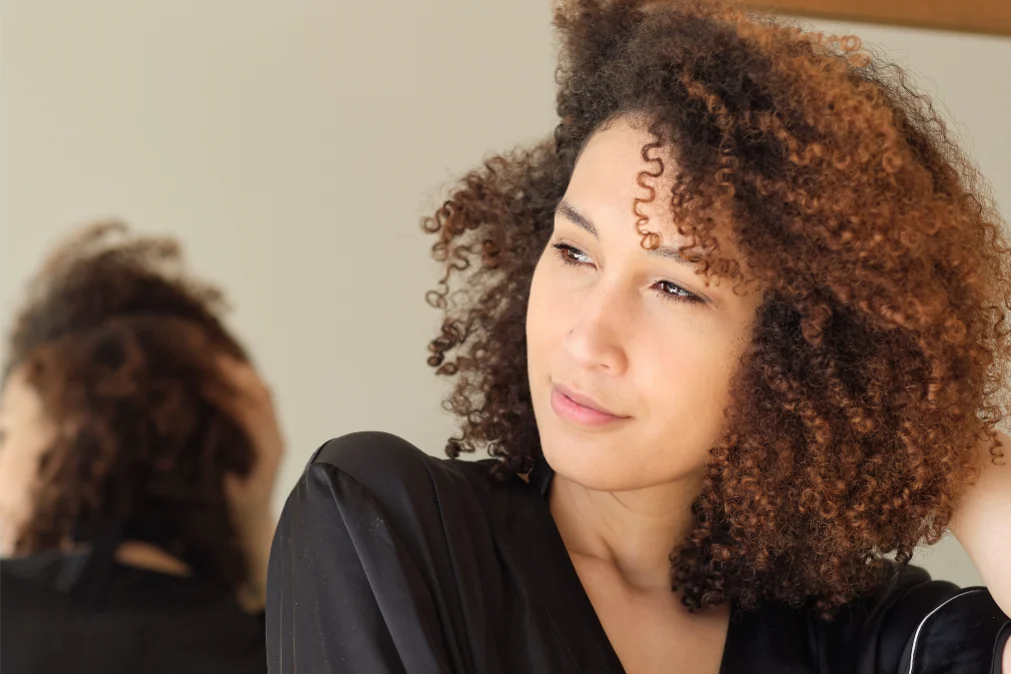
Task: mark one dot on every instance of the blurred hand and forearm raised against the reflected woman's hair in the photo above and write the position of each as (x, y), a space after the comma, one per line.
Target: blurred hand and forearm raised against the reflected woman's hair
(249, 402)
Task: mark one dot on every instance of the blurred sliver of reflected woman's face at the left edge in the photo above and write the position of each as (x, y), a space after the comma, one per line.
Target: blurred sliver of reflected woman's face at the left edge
(25, 436)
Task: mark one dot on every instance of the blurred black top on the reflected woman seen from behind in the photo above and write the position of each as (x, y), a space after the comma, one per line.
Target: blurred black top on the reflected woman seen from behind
(140, 623)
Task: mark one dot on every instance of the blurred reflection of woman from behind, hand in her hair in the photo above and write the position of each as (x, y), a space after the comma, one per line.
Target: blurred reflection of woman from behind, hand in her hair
(138, 455)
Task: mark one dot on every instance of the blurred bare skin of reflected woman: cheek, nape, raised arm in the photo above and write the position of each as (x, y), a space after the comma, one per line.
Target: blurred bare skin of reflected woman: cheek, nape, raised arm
(26, 433)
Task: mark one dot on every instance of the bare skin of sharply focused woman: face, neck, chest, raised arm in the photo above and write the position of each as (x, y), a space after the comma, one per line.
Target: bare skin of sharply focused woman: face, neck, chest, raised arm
(617, 329)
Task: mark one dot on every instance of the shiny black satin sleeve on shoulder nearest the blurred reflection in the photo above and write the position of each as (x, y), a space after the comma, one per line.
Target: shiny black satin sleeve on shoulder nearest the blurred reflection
(345, 593)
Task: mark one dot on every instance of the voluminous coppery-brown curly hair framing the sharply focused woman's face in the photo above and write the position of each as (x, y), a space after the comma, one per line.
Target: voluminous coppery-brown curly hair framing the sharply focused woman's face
(880, 354)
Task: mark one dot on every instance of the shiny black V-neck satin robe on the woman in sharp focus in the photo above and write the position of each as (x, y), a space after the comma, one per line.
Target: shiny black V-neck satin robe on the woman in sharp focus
(389, 560)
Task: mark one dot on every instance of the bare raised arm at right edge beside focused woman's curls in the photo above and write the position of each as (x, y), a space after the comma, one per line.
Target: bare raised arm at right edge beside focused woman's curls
(983, 527)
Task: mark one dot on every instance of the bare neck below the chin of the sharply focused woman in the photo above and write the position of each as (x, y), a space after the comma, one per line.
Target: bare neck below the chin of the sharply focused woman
(633, 532)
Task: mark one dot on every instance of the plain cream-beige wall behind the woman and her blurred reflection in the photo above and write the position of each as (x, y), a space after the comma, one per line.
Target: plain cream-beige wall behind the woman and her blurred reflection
(294, 147)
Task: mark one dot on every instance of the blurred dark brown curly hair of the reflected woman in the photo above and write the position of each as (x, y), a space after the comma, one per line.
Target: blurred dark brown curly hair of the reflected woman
(120, 346)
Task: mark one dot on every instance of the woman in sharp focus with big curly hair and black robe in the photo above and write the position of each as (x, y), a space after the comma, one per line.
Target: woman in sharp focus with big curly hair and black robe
(736, 340)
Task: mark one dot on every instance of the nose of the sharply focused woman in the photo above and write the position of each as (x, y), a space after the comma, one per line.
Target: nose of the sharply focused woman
(597, 340)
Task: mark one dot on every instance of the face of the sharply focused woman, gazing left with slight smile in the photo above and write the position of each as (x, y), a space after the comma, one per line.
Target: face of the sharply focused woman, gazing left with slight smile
(630, 353)
